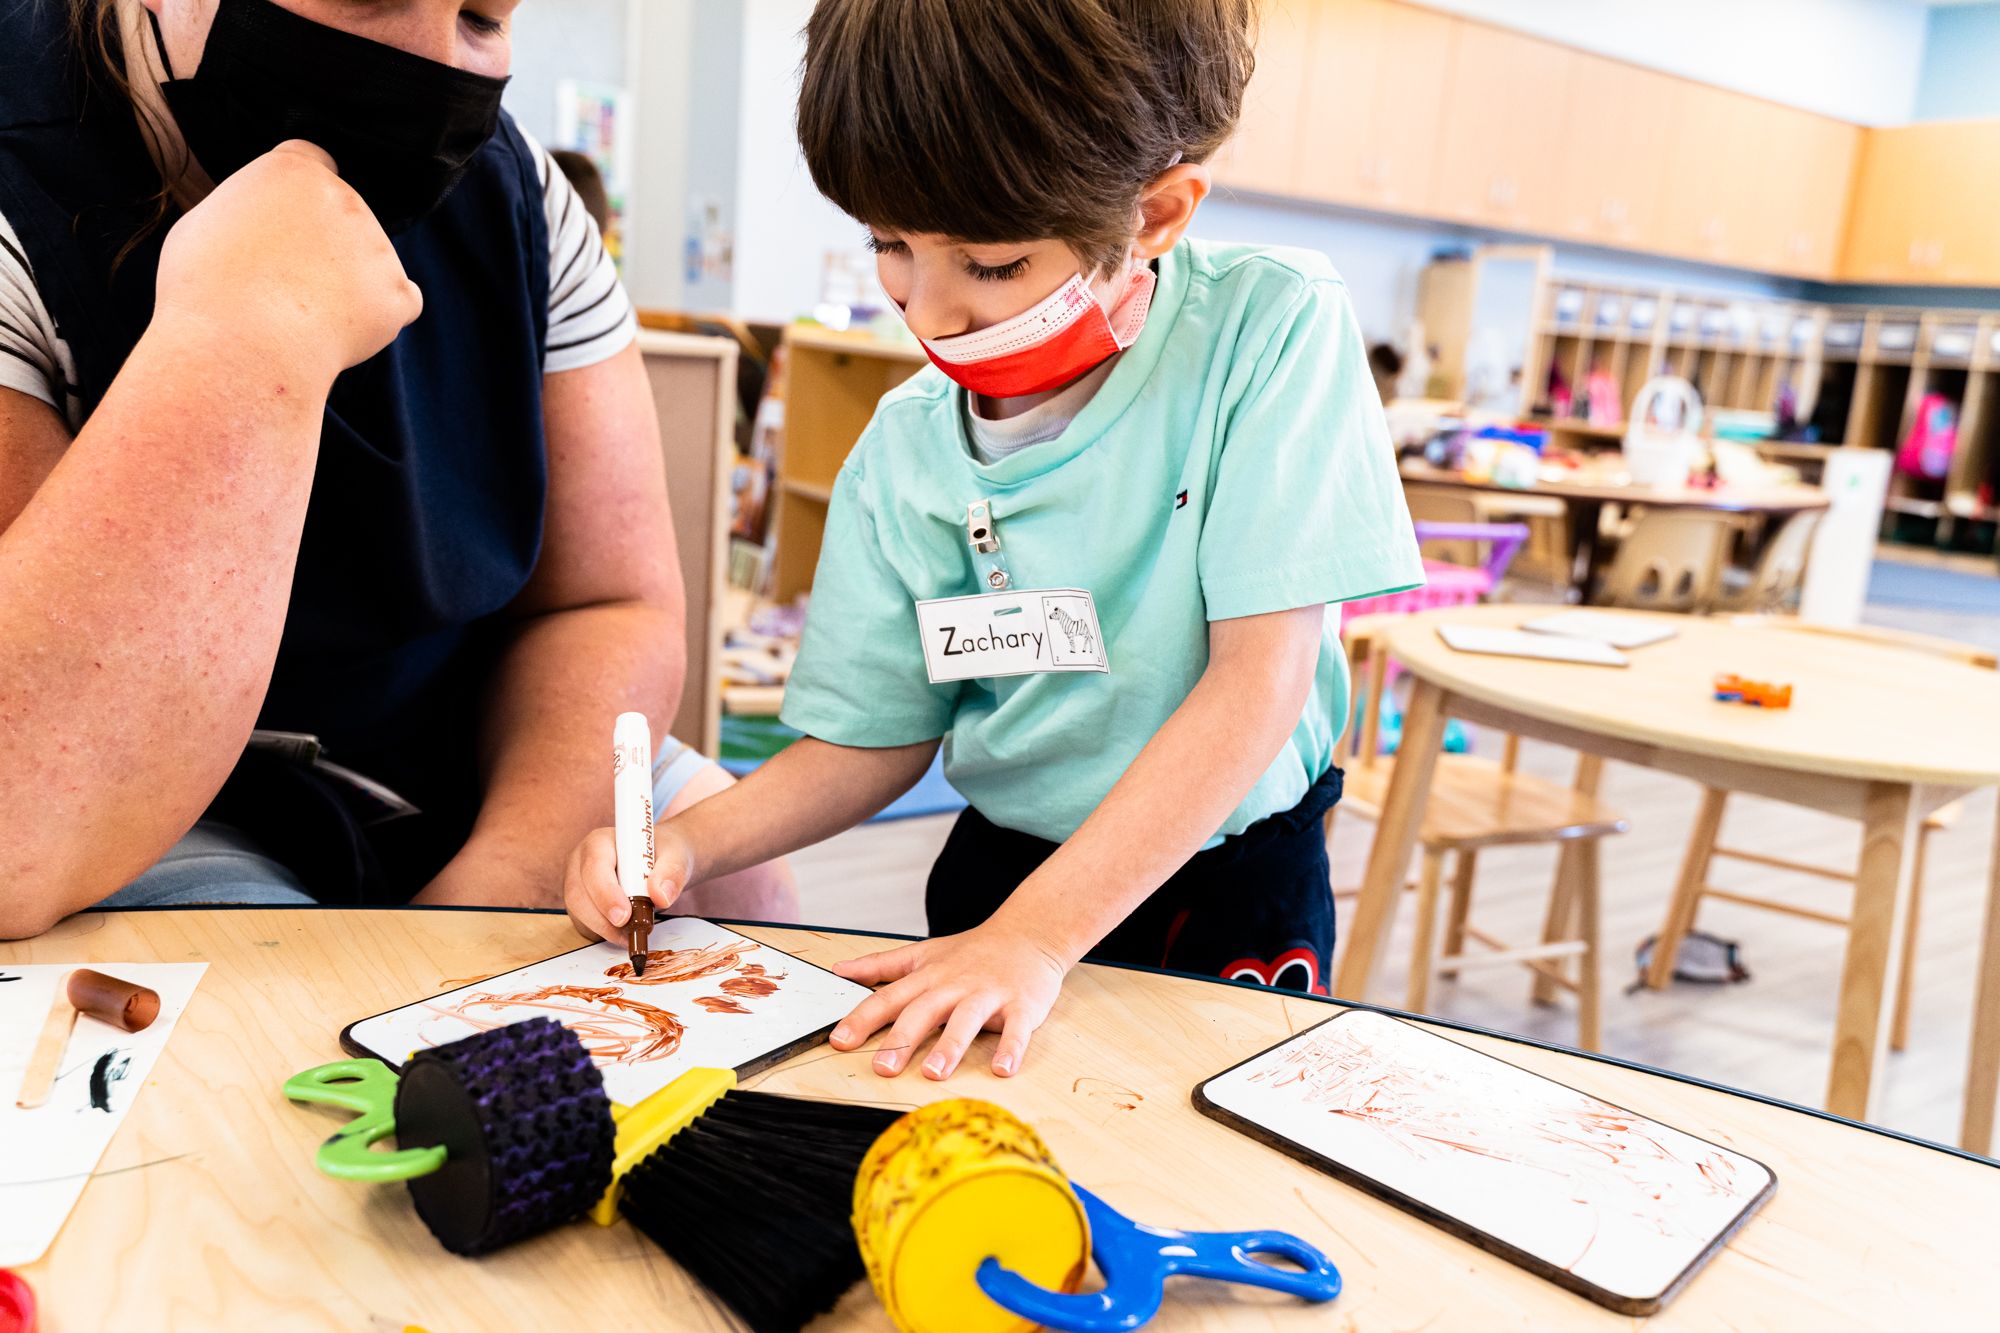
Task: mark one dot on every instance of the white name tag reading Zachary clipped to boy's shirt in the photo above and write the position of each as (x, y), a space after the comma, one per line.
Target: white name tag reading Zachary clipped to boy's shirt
(1011, 635)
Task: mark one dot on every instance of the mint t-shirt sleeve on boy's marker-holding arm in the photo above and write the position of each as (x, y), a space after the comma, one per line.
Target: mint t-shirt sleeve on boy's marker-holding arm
(861, 676)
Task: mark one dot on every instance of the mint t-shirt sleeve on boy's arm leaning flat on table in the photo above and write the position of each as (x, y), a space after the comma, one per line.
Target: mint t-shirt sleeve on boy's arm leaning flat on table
(1307, 503)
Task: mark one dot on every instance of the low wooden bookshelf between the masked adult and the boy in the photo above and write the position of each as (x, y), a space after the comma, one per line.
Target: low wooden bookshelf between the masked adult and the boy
(833, 383)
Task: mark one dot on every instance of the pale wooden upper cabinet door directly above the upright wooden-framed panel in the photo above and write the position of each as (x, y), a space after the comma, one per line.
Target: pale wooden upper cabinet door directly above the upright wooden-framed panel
(1505, 107)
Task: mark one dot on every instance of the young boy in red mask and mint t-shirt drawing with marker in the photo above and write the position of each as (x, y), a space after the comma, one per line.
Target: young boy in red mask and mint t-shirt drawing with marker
(1091, 551)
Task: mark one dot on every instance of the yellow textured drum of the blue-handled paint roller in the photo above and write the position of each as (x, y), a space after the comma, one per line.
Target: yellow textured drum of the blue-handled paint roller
(951, 1186)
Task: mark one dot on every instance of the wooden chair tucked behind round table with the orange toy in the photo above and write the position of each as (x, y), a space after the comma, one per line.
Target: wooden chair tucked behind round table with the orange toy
(1703, 848)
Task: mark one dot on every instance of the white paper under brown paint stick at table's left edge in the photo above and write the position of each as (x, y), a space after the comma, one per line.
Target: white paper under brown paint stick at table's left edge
(47, 1156)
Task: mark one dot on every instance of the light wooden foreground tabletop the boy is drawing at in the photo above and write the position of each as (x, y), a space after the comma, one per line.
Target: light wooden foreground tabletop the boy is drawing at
(207, 1210)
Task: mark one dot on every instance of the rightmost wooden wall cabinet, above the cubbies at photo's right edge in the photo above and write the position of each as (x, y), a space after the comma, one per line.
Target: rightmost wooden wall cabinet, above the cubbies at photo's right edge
(1925, 205)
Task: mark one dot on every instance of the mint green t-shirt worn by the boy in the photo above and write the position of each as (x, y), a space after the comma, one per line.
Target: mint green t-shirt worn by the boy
(1235, 463)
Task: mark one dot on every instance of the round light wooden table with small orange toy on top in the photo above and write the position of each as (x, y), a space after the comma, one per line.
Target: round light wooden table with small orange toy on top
(1875, 734)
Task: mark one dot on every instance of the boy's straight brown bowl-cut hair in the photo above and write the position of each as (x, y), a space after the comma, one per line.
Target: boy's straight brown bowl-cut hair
(995, 121)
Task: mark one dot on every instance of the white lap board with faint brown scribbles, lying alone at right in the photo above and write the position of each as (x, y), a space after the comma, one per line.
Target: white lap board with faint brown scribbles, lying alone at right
(1591, 1196)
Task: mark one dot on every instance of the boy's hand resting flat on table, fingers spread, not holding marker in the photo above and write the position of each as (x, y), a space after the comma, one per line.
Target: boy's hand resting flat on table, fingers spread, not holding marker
(995, 976)
